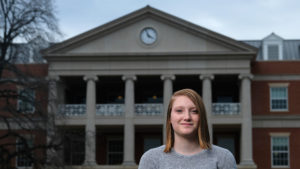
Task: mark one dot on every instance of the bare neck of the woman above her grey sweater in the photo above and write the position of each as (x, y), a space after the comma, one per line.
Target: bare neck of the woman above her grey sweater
(186, 146)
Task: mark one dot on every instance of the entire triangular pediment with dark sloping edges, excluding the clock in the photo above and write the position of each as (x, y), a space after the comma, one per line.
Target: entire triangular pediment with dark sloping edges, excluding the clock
(123, 36)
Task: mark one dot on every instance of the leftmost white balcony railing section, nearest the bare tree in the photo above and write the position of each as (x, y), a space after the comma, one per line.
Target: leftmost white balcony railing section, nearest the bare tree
(72, 109)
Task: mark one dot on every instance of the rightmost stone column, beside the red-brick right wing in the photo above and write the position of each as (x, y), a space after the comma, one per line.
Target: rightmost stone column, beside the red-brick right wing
(246, 135)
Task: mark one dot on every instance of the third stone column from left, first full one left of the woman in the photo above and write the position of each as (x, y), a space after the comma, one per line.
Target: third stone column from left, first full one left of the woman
(129, 132)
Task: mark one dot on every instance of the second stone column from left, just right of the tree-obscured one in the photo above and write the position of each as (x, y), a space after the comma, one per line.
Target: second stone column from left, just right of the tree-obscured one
(90, 128)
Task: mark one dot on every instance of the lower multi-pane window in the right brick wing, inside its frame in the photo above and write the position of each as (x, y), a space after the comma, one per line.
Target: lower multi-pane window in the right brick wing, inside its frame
(280, 151)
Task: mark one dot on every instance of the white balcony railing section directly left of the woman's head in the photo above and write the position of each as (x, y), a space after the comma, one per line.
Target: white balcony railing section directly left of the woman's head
(149, 109)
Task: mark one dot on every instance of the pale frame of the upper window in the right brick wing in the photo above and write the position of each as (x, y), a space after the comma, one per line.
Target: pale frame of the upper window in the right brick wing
(279, 85)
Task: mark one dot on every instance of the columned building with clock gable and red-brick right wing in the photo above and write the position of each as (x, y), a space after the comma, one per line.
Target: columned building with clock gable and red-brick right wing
(110, 89)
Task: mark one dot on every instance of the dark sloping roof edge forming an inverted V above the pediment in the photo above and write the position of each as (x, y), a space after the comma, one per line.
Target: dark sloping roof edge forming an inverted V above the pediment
(149, 12)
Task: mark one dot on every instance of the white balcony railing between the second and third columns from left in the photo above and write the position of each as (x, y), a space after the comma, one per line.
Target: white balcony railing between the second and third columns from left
(110, 109)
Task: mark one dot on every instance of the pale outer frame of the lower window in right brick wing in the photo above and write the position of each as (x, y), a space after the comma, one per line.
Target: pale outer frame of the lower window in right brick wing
(283, 135)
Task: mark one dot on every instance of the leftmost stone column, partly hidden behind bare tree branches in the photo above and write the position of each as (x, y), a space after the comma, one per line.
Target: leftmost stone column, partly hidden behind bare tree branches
(52, 155)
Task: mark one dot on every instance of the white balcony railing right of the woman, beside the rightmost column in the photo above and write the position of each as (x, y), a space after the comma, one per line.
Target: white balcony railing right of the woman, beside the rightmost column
(226, 108)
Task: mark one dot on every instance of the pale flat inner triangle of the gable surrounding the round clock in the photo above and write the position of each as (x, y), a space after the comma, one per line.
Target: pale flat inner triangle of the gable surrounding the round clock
(127, 40)
